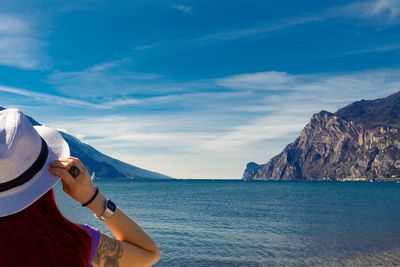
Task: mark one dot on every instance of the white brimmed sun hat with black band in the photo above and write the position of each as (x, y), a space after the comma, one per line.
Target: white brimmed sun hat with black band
(25, 154)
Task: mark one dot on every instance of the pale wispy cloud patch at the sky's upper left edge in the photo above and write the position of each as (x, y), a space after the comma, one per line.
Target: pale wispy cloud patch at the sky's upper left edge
(20, 44)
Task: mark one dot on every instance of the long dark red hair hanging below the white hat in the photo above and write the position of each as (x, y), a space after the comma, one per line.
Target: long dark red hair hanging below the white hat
(41, 236)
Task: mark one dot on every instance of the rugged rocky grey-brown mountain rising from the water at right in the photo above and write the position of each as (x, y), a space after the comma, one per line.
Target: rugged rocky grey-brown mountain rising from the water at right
(360, 140)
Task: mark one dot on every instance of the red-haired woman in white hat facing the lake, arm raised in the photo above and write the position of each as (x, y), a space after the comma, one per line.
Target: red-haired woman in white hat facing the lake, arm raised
(33, 230)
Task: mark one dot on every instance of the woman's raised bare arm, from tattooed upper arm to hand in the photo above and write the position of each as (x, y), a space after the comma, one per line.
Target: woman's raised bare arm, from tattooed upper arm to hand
(131, 246)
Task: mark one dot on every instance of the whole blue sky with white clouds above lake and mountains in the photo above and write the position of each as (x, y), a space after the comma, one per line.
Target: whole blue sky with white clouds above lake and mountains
(194, 89)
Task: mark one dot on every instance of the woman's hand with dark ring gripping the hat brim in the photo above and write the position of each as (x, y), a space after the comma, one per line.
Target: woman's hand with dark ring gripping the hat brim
(80, 188)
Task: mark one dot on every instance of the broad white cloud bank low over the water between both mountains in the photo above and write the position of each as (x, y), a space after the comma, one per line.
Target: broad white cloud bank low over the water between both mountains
(224, 130)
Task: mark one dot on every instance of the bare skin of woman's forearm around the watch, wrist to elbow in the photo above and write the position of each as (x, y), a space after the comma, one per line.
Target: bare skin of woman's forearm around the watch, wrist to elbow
(122, 227)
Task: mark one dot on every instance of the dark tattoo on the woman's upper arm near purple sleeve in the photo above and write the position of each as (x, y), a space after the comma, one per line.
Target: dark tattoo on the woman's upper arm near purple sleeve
(109, 250)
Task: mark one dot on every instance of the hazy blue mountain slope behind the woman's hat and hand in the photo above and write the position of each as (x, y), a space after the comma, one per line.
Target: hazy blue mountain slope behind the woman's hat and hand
(103, 165)
